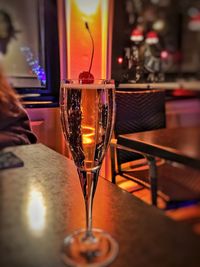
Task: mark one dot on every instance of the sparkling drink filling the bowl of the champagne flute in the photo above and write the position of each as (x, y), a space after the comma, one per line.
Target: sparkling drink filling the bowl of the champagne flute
(87, 122)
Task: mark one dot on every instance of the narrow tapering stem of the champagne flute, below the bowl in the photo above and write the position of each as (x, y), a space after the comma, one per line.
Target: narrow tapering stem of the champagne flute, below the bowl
(89, 181)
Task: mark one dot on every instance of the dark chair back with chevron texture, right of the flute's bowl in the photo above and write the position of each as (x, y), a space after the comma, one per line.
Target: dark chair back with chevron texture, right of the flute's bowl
(138, 111)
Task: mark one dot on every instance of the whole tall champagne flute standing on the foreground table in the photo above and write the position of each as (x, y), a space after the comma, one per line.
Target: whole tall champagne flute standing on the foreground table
(87, 116)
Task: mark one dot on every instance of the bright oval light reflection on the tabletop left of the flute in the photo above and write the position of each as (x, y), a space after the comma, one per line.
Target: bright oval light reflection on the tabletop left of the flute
(36, 212)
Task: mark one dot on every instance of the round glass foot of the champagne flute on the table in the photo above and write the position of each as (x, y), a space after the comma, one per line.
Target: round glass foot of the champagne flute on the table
(97, 250)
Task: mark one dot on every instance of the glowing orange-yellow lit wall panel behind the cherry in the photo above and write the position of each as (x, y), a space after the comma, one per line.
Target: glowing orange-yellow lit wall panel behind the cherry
(79, 46)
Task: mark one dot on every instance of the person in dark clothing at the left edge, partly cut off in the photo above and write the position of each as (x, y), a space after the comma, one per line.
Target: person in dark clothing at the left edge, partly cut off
(15, 126)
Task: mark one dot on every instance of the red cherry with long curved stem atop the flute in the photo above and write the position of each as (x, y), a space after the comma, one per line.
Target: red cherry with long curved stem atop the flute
(87, 76)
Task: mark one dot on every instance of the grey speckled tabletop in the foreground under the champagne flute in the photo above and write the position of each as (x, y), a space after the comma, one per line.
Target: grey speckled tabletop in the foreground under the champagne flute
(42, 202)
